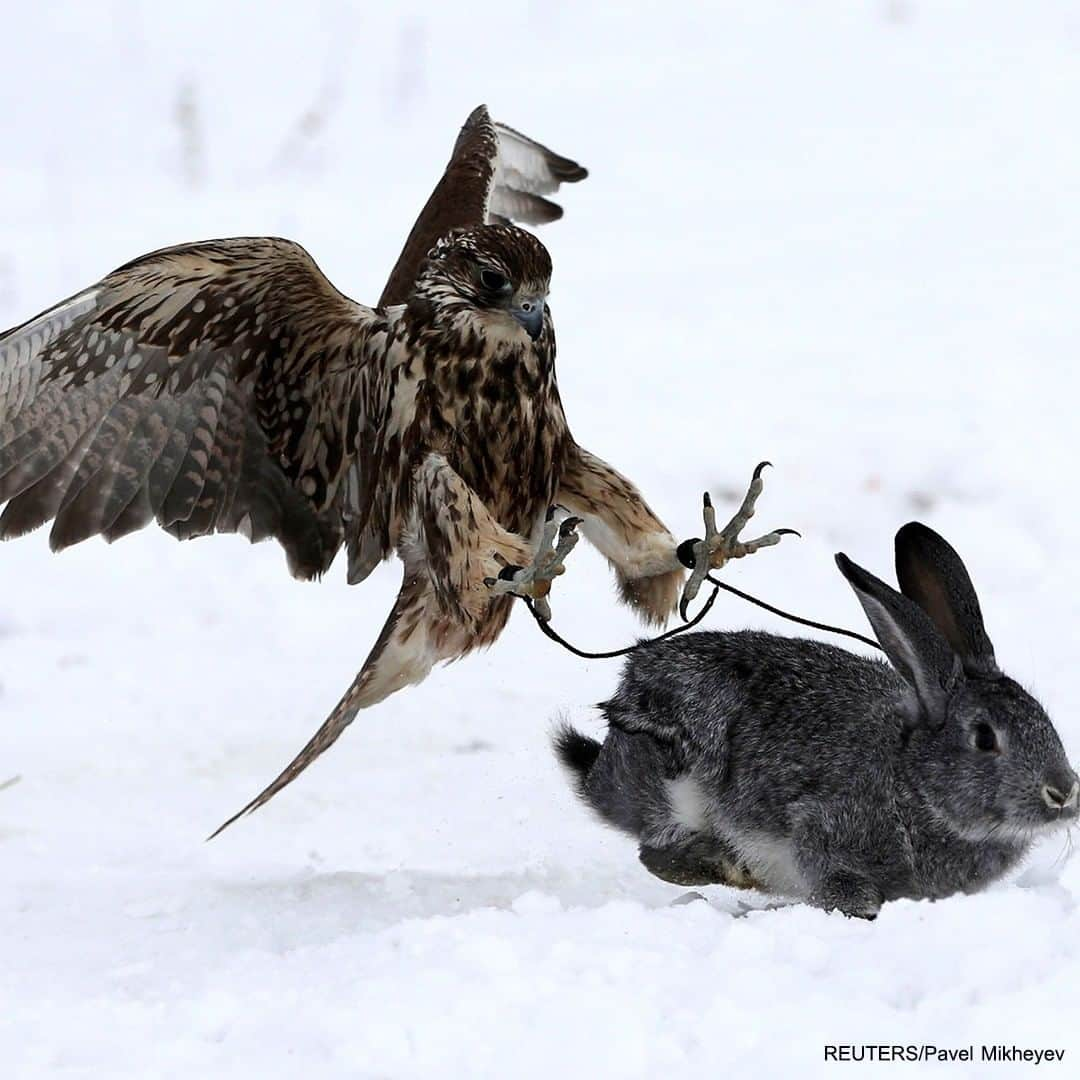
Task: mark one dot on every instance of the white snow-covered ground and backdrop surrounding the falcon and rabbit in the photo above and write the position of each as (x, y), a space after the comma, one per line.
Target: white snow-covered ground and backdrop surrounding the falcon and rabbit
(841, 236)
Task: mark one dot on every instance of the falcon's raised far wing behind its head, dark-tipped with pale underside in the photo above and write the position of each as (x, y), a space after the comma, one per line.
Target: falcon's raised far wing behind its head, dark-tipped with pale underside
(495, 174)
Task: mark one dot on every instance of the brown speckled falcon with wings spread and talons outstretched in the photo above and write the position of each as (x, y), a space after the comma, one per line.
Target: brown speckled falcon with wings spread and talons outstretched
(228, 387)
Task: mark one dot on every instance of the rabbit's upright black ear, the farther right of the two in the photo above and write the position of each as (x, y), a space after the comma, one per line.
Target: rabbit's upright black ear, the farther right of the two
(933, 575)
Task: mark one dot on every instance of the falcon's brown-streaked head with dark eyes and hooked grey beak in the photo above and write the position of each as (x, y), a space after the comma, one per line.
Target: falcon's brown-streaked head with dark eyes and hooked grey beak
(497, 274)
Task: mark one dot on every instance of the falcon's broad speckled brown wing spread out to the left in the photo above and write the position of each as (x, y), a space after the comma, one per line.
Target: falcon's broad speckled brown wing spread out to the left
(217, 387)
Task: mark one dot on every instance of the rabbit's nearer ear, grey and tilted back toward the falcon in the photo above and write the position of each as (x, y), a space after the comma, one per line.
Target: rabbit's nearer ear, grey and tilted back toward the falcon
(910, 640)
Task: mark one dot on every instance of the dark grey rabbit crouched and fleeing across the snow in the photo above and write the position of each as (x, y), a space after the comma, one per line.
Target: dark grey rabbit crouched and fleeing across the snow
(804, 771)
